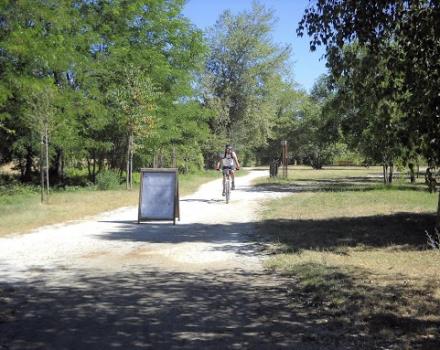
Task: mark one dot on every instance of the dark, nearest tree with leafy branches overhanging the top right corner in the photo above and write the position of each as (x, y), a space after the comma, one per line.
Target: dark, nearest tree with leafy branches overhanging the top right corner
(405, 35)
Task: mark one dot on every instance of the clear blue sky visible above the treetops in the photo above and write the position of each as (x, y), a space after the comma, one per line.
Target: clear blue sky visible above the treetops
(307, 65)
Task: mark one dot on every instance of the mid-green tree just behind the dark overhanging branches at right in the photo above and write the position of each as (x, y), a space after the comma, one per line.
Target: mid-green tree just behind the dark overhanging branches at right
(367, 104)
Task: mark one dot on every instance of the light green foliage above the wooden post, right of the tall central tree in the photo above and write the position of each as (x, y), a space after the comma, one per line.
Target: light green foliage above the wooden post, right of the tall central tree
(308, 123)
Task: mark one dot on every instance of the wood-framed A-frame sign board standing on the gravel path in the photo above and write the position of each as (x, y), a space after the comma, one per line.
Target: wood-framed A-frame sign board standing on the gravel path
(158, 195)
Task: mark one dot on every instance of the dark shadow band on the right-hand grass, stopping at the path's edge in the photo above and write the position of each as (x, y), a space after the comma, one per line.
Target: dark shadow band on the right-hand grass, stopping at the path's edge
(401, 230)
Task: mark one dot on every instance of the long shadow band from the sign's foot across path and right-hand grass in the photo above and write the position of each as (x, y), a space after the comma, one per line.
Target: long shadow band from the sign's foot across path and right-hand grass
(400, 230)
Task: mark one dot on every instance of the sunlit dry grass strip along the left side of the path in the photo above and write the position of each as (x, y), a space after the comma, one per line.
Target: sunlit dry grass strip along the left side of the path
(21, 210)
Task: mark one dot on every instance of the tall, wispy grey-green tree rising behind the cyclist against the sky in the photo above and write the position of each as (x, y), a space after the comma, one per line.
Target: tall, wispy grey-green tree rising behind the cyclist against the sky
(241, 75)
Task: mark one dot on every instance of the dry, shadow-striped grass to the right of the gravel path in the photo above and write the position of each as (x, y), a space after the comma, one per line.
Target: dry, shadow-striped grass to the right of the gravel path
(356, 253)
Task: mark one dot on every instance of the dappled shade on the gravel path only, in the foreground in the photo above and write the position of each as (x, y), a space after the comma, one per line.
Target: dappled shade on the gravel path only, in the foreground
(151, 309)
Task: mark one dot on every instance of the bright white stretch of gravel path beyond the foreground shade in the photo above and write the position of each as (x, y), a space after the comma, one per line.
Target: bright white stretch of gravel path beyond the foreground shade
(210, 236)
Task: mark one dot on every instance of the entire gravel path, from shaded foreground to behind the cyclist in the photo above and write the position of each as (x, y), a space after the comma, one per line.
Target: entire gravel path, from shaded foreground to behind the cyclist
(109, 283)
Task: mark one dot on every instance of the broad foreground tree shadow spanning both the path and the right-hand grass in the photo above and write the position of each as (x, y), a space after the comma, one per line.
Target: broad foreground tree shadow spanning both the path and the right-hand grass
(151, 309)
